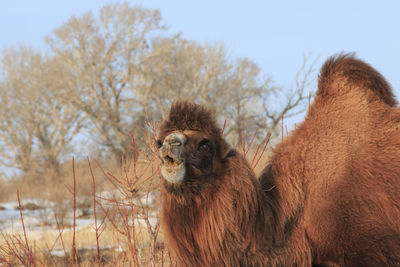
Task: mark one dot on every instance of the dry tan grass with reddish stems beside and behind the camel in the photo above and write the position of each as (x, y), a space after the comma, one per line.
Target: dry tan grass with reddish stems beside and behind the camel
(124, 229)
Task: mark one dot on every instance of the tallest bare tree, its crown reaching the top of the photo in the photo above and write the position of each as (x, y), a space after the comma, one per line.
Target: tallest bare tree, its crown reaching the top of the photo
(103, 57)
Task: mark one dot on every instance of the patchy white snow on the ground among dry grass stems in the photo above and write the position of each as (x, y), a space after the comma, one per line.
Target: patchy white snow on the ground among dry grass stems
(41, 220)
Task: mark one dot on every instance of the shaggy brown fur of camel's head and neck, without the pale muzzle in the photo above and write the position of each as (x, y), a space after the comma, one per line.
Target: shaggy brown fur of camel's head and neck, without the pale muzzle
(219, 215)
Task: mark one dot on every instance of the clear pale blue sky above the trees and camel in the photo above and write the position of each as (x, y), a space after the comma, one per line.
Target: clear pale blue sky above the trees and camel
(275, 34)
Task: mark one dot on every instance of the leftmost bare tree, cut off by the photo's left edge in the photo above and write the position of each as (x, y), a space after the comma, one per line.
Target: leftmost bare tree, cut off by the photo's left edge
(36, 125)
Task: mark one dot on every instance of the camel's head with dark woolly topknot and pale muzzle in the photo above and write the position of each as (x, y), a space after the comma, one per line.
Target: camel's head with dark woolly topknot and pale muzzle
(190, 144)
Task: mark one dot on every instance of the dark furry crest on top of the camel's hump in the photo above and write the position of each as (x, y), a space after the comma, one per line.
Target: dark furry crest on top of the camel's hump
(345, 72)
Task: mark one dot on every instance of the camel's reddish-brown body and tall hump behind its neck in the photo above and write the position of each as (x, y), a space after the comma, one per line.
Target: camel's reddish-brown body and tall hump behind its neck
(337, 177)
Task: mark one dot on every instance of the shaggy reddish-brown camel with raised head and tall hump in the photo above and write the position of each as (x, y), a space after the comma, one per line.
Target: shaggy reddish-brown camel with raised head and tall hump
(329, 196)
